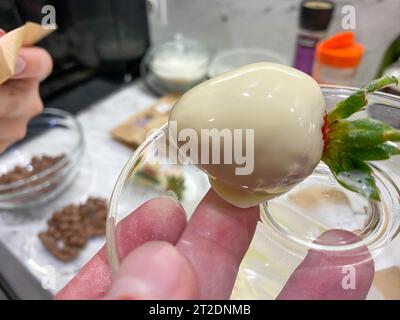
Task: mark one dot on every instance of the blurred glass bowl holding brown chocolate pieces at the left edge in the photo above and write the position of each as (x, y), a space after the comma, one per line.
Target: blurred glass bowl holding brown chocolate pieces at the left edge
(53, 133)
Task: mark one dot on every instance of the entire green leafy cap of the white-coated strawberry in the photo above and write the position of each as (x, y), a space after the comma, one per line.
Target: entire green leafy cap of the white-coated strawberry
(350, 144)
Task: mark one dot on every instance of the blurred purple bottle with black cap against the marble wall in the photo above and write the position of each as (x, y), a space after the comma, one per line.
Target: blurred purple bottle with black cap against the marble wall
(315, 16)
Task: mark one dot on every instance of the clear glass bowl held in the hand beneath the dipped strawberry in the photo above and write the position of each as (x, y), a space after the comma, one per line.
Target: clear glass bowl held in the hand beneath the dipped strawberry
(290, 223)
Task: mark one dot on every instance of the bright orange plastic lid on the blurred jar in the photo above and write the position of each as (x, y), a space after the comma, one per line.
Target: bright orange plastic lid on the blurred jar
(340, 51)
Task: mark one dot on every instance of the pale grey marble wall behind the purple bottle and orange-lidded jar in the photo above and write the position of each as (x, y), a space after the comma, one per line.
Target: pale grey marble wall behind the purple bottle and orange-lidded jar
(274, 25)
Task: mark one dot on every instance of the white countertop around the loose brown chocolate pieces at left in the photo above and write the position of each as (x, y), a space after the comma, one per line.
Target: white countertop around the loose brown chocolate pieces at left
(102, 162)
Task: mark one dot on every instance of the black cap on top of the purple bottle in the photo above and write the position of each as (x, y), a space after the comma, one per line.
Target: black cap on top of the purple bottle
(315, 15)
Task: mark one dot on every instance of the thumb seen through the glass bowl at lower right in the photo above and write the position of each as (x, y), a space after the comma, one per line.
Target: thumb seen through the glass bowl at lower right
(330, 275)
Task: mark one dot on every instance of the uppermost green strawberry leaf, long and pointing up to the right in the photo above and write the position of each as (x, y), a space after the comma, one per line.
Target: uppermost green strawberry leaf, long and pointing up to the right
(358, 100)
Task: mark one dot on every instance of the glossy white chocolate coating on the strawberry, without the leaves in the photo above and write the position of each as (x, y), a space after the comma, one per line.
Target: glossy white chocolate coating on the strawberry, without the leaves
(284, 106)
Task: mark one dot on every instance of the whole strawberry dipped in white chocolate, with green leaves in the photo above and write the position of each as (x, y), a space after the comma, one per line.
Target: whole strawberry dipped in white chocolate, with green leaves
(279, 115)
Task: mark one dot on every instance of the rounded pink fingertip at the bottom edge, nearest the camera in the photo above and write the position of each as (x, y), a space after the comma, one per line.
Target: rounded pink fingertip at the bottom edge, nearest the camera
(155, 270)
